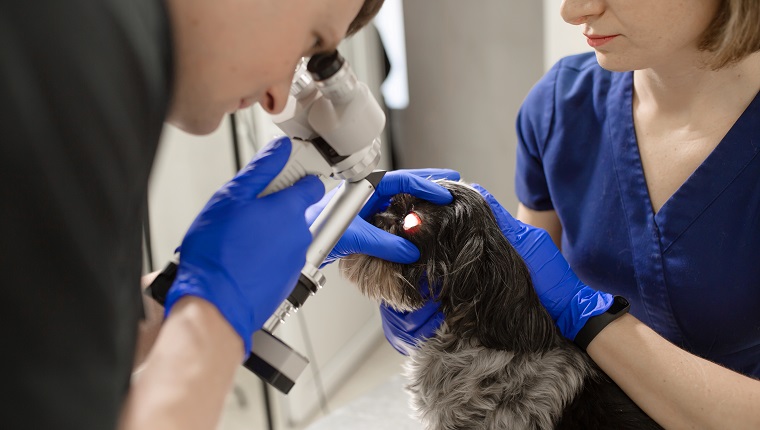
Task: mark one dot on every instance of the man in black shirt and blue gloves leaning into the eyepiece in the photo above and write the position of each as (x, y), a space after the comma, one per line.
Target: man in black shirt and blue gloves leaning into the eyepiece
(86, 86)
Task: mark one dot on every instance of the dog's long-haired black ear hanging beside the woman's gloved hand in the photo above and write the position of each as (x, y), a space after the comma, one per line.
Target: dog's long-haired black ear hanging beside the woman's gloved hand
(487, 291)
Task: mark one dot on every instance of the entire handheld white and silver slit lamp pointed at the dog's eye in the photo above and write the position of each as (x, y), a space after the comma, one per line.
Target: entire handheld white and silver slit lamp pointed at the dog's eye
(334, 123)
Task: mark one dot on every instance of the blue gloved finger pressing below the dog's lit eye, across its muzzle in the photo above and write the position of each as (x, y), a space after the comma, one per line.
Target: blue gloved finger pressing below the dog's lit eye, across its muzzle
(365, 238)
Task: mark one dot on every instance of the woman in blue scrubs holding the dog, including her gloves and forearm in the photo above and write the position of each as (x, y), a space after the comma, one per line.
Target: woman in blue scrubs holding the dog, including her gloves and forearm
(641, 161)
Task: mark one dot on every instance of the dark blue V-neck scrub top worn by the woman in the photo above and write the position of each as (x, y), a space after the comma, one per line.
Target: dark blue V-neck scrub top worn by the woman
(692, 270)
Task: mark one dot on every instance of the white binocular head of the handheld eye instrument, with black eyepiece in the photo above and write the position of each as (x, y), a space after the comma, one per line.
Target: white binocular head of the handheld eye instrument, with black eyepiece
(333, 121)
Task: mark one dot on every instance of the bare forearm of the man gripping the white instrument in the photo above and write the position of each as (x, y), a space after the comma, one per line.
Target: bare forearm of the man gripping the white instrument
(188, 373)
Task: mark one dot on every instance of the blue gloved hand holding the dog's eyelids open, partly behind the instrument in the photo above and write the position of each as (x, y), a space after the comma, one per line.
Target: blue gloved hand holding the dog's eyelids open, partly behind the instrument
(361, 237)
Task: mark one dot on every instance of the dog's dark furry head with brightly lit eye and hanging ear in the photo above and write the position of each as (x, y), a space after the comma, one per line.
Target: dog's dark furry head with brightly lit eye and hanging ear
(482, 284)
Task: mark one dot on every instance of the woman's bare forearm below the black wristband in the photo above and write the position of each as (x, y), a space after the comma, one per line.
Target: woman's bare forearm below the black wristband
(677, 389)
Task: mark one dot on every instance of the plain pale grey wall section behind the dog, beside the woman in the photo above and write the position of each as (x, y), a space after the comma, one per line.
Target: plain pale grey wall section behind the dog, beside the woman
(471, 63)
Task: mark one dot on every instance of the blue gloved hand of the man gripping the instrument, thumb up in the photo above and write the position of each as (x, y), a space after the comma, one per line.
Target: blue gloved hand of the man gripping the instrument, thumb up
(244, 254)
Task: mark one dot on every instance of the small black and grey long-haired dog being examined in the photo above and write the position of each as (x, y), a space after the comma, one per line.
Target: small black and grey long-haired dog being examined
(498, 361)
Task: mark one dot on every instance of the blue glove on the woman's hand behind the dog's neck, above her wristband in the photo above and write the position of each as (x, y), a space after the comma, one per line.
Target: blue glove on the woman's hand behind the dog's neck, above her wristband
(569, 301)
